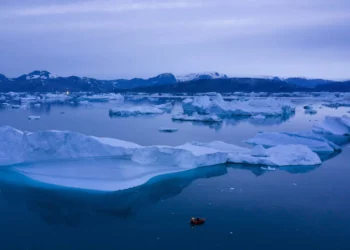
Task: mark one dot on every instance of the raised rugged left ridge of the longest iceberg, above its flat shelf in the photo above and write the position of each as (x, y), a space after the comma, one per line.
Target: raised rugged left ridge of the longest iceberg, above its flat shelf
(17, 146)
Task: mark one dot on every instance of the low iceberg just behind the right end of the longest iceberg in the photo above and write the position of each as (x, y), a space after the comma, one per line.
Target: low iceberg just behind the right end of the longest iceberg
(316, 143)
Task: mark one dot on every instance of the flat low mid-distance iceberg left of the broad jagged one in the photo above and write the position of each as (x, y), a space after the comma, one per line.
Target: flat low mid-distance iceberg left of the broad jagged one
(135, 111)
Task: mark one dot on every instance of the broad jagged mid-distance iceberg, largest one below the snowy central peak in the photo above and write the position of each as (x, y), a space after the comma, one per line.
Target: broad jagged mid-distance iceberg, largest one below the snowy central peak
(217, 105)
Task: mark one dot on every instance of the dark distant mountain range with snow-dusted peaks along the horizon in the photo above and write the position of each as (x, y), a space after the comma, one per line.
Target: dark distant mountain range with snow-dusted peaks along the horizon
(44, 81)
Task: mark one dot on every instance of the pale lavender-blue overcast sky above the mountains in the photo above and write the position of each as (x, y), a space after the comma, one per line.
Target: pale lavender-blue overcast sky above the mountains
(111, 39)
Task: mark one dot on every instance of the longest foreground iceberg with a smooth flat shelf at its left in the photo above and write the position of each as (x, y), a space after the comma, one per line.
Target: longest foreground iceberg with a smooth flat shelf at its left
(31, 153)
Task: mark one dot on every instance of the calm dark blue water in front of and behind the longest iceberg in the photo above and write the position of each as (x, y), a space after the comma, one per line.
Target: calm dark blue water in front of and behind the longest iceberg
(245, 207)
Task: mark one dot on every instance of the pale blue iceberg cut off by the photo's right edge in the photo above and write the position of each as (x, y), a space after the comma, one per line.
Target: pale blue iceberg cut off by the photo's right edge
(333, 126)
